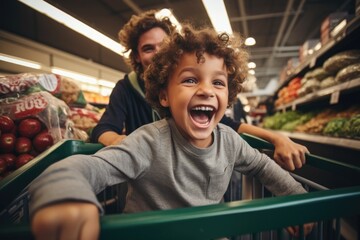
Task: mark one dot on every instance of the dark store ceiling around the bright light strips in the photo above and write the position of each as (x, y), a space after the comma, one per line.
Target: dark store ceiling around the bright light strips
(279, 26)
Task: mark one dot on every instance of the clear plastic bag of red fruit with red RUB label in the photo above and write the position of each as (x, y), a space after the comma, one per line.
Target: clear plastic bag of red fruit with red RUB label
(30, 124)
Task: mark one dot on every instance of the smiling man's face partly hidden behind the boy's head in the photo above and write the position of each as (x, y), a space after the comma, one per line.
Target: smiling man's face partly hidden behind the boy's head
(149, 45)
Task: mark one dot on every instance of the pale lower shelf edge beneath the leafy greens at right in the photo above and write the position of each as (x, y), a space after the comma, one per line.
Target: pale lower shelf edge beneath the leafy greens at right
(341, 142)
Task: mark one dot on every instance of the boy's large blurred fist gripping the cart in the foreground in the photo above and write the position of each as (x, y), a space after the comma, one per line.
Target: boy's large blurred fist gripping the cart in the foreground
(75, 220)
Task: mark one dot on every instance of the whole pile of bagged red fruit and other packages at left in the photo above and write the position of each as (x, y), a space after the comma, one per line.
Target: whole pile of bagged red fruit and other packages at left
(36, 111)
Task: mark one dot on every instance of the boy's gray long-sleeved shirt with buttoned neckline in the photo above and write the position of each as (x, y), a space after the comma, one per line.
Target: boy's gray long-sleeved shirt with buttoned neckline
(163, 170)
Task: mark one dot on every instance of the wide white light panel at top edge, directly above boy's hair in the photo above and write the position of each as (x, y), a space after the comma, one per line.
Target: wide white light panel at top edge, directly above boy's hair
(218, 15)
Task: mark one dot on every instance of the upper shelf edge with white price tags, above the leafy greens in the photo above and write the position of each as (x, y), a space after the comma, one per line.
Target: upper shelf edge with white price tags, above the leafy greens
(326, 92)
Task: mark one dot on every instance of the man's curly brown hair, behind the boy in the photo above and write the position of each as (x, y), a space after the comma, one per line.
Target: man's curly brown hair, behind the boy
(137, 25)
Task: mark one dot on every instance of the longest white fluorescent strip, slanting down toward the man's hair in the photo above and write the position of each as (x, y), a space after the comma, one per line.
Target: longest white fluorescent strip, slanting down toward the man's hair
(75, 25)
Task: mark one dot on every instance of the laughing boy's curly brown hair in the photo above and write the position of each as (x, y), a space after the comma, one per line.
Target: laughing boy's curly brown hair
(206, 40)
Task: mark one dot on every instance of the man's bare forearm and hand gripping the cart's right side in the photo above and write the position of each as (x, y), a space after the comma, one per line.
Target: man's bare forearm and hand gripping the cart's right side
(288, 154)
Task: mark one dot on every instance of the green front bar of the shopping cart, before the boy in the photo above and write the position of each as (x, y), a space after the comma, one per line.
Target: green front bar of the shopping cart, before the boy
(225, 219)
